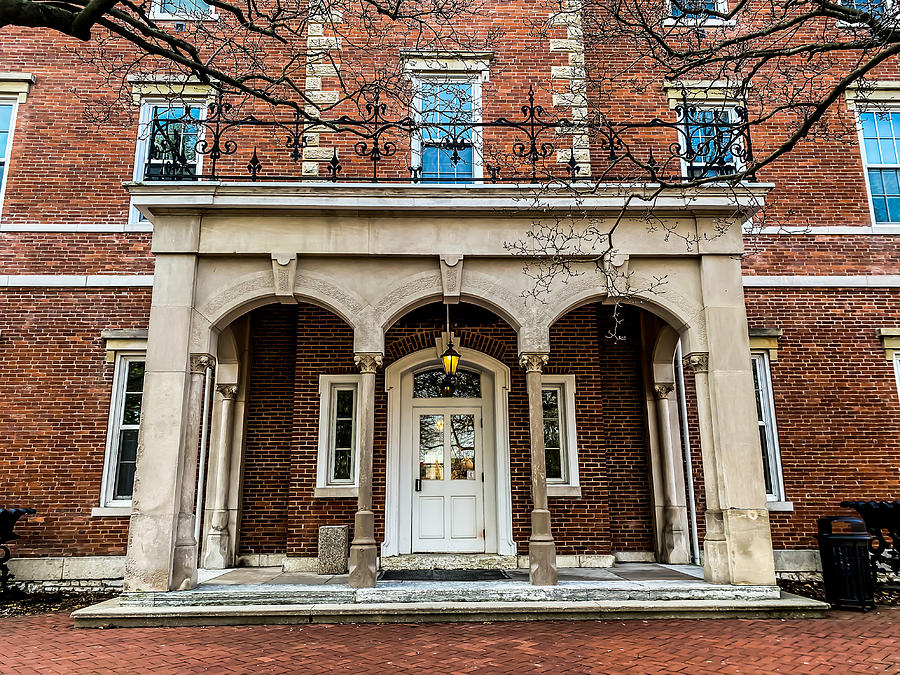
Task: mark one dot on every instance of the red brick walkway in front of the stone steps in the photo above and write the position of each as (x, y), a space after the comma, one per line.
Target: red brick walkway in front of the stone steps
(842, 643)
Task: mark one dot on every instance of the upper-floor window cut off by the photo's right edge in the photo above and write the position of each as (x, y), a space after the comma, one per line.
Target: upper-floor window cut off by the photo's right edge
(880, 135)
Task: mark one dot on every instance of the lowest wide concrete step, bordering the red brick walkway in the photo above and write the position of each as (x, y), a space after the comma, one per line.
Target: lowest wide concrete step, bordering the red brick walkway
(113, 613)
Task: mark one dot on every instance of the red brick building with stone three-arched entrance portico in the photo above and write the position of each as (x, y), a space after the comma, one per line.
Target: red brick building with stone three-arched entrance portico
(291, 332)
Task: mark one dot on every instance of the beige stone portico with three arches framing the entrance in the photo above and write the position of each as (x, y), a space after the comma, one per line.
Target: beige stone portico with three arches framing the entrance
(371, 255)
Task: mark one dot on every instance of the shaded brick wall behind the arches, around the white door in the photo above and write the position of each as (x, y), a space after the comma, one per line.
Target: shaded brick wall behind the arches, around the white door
(279, 510)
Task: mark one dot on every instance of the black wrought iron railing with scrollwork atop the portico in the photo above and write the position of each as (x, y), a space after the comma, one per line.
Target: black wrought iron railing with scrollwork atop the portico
(696, 145)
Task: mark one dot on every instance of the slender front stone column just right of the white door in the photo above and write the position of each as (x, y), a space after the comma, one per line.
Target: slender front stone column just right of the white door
(541, 549)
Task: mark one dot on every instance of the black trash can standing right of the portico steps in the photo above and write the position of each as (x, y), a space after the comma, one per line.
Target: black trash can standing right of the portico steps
(846, 570)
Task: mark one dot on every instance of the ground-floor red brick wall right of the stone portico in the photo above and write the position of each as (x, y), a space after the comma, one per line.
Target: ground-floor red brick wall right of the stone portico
(836, 401)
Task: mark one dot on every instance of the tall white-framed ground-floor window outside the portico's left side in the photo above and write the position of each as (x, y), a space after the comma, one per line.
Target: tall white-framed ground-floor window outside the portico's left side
(122, 437)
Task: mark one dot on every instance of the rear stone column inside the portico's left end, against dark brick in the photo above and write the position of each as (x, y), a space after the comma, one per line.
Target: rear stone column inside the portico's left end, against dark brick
(218, 541)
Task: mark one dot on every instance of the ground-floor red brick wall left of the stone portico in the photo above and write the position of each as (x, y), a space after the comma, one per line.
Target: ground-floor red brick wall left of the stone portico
(55, 388)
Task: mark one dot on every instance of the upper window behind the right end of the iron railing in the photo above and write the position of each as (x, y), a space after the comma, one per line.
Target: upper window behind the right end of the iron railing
(708, 143)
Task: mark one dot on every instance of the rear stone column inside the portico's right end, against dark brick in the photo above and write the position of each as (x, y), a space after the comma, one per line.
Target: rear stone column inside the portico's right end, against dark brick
(674, 511)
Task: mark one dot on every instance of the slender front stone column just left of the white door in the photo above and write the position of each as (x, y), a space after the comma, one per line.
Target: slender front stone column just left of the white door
(363, 551)
